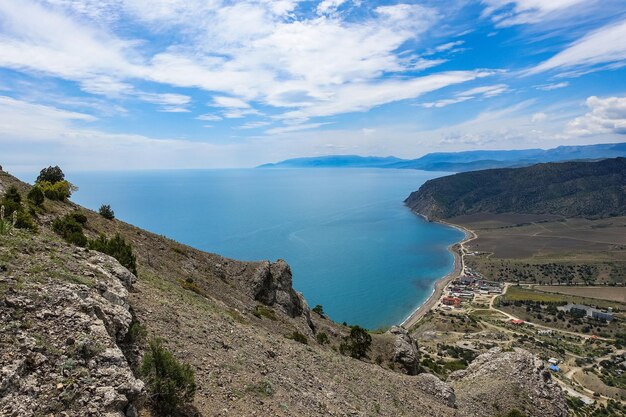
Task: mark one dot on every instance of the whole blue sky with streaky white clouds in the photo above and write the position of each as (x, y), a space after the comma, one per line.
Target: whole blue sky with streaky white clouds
(169, 84)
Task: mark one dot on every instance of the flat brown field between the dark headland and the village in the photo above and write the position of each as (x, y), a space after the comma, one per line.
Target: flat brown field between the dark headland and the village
(546, 249)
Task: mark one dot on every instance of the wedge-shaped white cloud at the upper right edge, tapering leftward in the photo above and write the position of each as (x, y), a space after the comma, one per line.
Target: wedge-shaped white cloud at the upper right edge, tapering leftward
(602, 46)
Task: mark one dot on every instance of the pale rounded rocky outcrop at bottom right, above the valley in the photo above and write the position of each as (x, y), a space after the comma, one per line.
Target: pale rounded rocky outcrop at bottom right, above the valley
(497, 382)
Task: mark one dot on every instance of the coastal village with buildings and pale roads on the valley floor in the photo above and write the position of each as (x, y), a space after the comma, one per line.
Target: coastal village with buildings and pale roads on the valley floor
(578, 338)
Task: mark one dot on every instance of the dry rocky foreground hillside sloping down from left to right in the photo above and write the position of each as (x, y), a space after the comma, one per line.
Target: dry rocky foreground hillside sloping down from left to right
(70, 341)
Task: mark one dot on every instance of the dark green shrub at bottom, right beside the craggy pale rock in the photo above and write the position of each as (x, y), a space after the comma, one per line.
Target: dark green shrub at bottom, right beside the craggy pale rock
(170, 383)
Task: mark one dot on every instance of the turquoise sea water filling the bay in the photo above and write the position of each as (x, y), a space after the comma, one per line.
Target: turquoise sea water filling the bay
(352, 244)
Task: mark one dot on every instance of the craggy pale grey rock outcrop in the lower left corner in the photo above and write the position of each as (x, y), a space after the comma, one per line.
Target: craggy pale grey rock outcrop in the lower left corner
(58, 344)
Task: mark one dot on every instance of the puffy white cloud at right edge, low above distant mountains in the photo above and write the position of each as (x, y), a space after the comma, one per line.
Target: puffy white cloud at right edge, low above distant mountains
(606, 115)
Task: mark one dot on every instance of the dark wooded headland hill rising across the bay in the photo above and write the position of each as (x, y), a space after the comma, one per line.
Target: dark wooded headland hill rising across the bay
(569, 189)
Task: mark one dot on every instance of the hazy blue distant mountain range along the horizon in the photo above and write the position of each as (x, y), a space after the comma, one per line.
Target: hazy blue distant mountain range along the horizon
(460, 161)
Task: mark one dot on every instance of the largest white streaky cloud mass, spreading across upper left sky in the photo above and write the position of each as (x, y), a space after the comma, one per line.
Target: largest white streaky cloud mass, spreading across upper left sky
(251, 50)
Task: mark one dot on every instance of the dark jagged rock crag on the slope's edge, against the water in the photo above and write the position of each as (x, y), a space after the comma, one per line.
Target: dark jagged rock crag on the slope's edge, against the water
(271, 284)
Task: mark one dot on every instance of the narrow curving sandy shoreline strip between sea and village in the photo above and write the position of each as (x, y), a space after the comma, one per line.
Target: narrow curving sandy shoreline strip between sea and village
(443, 282)
